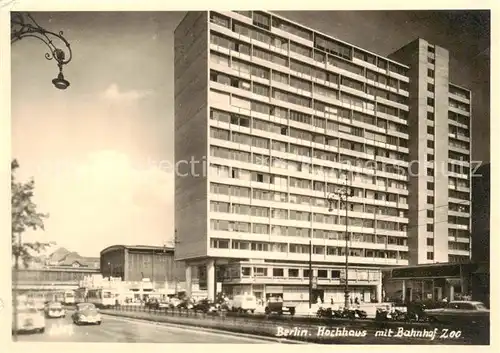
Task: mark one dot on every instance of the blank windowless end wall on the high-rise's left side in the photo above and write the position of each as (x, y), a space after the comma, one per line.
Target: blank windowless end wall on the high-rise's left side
(191, 43)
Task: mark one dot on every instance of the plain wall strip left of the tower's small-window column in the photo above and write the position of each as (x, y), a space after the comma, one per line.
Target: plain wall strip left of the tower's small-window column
(415, 55)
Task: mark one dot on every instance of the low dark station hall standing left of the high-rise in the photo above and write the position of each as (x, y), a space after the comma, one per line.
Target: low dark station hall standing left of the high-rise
(139, 262)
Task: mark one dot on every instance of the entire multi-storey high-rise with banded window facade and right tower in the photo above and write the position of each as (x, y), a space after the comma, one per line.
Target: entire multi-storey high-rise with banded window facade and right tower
(273, 119)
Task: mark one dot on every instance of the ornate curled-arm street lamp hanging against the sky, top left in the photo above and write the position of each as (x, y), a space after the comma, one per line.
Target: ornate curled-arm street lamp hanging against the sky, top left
(23, 25)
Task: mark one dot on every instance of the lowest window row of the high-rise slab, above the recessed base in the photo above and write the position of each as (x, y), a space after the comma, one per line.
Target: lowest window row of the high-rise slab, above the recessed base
(219, 243)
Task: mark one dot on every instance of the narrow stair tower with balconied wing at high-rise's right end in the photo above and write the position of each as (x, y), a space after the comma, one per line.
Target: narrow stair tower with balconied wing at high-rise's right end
(439, 184)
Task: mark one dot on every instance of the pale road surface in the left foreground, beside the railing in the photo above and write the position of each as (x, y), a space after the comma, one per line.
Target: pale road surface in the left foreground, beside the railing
(116, 329)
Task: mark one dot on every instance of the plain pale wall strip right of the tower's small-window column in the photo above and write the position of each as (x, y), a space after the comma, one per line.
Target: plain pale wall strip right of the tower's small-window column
(441, 83)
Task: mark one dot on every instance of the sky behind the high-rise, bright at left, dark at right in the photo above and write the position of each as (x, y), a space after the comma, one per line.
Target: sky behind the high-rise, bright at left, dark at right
(97, 150)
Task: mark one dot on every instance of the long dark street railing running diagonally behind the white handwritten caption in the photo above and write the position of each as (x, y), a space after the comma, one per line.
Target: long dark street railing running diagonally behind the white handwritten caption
(270, 325)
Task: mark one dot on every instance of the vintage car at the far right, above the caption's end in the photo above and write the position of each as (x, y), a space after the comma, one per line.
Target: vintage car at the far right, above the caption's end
(460, 311)
